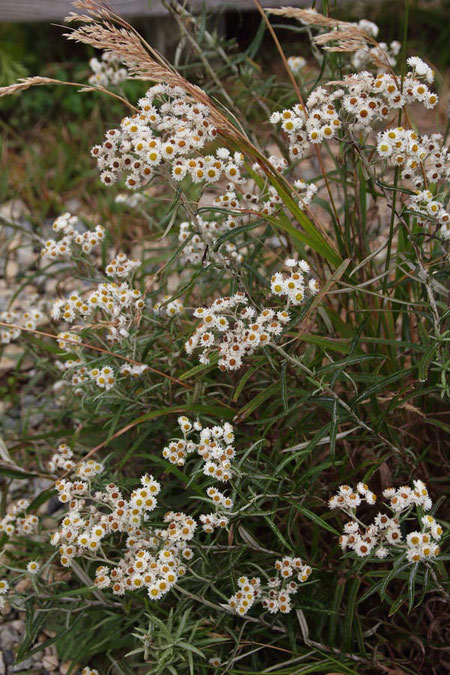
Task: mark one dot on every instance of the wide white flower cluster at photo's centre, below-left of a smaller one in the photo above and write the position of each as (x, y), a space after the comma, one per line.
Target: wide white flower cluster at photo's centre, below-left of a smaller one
(233, 332)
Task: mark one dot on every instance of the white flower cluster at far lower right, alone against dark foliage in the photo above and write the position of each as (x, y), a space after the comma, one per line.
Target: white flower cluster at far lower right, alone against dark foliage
(384, 537)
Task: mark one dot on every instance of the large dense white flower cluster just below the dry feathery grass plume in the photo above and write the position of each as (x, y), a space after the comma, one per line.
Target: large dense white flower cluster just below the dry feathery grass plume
(169, 130)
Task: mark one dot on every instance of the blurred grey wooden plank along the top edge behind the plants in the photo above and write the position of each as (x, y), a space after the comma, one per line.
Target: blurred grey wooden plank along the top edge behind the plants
(56, 10)
